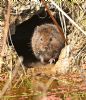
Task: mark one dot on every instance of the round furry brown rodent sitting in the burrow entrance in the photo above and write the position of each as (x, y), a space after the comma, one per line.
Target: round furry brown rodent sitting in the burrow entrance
(47, 43)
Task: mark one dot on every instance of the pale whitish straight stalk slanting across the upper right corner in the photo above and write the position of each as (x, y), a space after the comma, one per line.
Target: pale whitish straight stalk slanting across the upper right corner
(67, 17)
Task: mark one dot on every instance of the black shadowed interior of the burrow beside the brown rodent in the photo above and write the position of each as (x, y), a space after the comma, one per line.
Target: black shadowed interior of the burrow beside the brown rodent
(22, 37)
